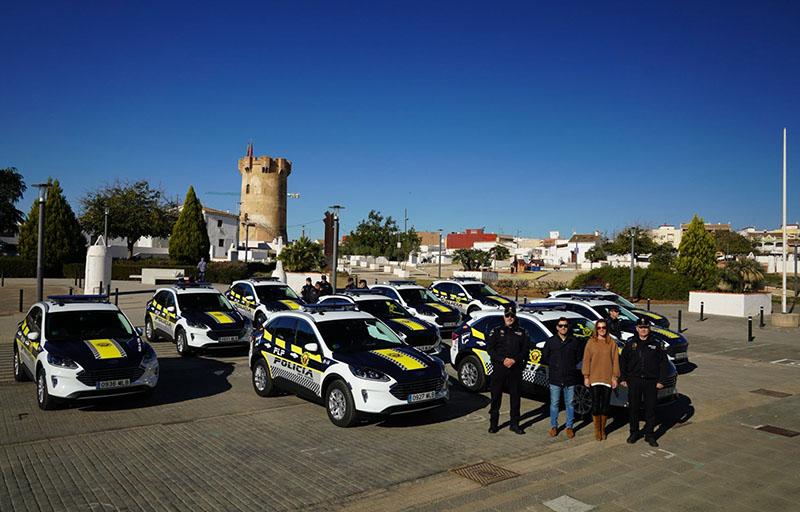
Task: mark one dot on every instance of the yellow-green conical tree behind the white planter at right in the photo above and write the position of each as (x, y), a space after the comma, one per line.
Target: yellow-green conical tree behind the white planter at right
(696, 258)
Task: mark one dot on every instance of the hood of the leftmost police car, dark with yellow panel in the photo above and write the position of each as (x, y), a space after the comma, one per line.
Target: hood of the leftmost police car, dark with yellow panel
(99, 353)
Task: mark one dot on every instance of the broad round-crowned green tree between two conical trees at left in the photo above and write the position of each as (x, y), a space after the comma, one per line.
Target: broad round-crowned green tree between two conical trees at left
(135, 210)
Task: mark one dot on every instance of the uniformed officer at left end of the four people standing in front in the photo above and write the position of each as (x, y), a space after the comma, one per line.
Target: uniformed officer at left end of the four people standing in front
(508, 348)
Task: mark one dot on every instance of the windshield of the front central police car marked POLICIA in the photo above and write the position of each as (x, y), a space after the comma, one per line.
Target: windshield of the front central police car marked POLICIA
(357, 335)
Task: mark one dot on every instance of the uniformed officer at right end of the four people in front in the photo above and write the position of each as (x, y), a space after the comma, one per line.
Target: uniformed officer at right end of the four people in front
(643, 368)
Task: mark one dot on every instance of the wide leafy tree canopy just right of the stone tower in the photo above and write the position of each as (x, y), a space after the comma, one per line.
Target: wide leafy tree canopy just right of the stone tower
(378, 236)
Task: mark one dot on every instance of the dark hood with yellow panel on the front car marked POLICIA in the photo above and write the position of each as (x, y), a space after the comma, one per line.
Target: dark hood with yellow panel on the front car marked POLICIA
(402, 363)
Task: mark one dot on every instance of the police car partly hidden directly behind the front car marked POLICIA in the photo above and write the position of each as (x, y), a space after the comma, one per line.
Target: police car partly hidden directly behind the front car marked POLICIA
(422, 335)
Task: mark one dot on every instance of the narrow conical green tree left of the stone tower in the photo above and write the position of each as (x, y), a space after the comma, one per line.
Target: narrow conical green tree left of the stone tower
(189, 239)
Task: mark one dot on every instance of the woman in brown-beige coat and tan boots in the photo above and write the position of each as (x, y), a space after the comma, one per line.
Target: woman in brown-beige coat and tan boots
(600, 374)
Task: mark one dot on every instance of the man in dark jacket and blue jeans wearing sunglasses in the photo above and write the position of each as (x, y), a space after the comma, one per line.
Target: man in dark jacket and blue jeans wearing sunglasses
(561, 354)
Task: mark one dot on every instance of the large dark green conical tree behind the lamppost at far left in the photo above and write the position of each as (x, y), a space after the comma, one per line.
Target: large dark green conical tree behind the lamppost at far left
(63, 238)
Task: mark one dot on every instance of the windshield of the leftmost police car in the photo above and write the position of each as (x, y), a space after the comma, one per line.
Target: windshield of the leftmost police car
(86, 325)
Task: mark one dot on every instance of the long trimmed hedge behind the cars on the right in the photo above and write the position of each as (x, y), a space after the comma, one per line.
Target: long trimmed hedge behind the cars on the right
(647, 283)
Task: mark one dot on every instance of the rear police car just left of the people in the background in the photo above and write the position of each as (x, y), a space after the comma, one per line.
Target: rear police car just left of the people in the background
(258, 297)
